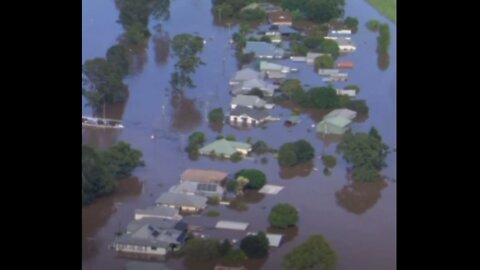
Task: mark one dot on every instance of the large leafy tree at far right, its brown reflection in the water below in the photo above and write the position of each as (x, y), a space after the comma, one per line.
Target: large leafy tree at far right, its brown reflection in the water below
(366, 152)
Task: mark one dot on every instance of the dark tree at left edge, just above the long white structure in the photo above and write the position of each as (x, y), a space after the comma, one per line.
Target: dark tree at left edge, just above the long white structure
(105, 83)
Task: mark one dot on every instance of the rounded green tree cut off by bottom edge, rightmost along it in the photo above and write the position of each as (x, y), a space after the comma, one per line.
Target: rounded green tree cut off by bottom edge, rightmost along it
(314, 253)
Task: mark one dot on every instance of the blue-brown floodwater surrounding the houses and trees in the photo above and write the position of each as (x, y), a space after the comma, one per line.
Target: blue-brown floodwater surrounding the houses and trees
(358, 219)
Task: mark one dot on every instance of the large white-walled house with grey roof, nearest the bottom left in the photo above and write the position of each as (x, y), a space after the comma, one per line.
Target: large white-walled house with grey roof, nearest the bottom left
(151, 238)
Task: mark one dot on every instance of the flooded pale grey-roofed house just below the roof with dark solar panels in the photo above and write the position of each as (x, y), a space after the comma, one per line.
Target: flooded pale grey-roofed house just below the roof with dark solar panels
(183, 202)
